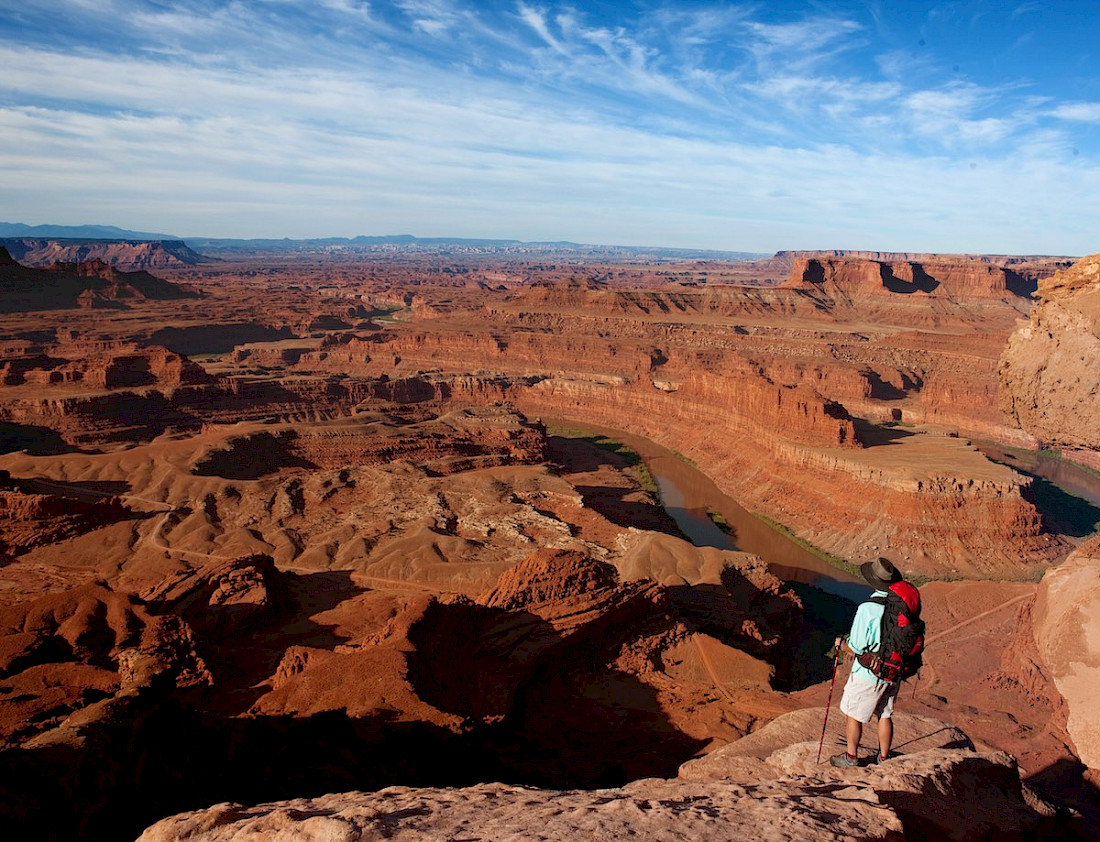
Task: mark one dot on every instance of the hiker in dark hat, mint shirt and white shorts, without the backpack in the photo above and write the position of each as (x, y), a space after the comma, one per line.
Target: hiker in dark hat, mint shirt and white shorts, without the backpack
(866, 696)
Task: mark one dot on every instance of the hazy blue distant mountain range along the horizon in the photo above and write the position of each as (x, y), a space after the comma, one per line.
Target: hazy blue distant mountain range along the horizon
(383, 245)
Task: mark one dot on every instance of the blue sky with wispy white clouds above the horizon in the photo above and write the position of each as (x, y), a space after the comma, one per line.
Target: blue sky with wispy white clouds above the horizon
(954, 127)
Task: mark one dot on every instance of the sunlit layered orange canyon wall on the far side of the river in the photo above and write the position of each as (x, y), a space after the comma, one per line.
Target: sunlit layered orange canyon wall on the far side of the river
(762, 408)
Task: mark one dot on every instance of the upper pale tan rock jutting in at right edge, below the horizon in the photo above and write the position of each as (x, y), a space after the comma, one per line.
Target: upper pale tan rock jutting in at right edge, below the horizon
(1050, 373)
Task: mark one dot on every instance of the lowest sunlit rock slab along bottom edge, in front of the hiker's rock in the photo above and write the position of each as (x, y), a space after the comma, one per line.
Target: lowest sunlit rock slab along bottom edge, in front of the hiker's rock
(663, 812)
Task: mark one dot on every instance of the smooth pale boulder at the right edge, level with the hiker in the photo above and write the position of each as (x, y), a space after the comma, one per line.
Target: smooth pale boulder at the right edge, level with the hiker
(1068, 617)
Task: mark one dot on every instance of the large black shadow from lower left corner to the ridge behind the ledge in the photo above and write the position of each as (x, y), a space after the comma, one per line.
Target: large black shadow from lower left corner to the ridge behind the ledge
(538, 707)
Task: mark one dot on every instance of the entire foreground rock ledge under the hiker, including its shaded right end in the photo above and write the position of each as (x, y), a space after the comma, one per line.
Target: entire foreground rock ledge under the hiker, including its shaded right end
(943, 793)
